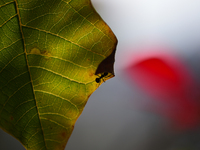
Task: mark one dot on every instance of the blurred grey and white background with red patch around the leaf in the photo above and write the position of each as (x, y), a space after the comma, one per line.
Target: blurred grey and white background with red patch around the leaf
(152, 103)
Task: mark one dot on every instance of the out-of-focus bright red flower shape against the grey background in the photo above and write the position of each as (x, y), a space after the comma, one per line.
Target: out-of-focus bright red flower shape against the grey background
(168, 80)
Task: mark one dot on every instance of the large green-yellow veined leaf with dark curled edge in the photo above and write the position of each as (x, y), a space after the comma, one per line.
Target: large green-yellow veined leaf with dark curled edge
(49, 54)
